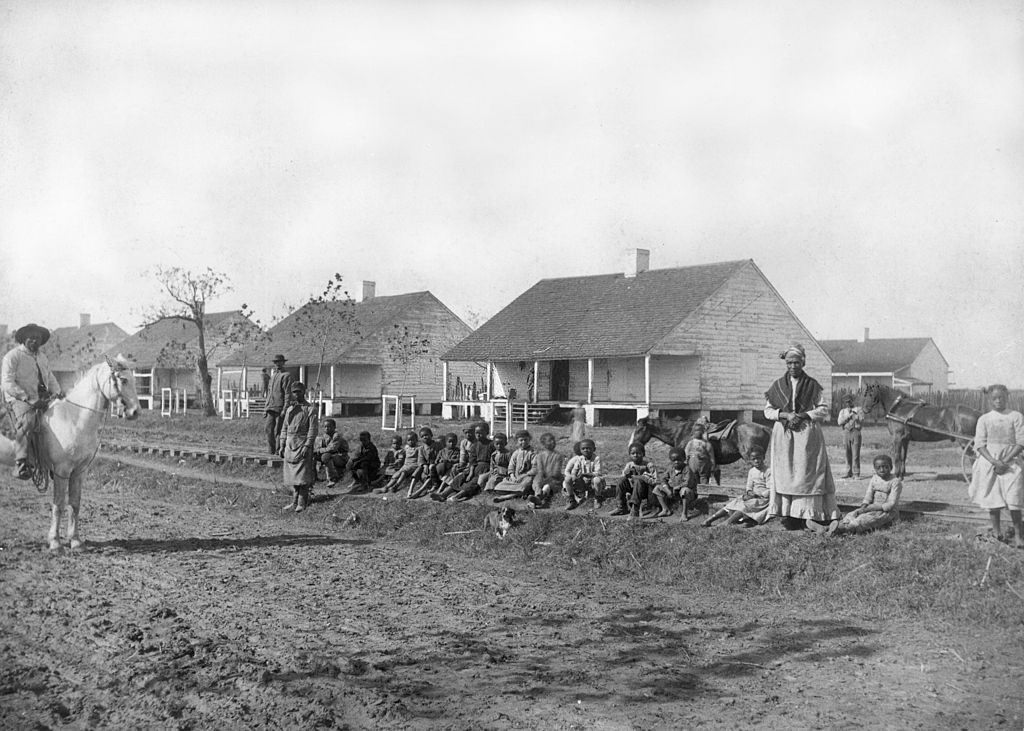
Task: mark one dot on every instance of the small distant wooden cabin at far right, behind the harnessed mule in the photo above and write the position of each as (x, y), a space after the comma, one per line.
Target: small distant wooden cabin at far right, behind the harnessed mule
(913, 365)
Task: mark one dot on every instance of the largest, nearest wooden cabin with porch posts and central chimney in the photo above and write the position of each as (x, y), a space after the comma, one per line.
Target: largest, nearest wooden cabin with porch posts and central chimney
(682, 341)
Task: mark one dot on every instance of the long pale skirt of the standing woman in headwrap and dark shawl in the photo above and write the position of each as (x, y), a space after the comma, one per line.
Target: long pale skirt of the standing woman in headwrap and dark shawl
(801, 480)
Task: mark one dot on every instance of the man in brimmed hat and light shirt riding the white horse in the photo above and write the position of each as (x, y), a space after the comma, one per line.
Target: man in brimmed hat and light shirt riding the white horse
(28, 386)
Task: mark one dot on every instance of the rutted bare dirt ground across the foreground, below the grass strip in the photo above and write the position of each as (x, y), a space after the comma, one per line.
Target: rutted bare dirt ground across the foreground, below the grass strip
(186, 616)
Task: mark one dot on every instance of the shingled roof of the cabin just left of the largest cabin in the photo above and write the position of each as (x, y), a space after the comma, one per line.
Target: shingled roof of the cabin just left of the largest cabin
(289, 337)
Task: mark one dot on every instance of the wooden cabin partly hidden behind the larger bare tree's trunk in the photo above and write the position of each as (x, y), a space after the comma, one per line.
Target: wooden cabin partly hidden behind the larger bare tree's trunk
(164, 354)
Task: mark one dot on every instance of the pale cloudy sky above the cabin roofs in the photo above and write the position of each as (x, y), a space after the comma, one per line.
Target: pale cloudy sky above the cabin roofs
(869, 157)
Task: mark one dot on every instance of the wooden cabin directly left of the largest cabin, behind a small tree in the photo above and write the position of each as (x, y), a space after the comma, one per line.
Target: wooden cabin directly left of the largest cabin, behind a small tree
(349, 349)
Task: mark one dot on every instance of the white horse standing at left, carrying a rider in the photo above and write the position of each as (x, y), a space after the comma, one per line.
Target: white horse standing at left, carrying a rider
(69, 438)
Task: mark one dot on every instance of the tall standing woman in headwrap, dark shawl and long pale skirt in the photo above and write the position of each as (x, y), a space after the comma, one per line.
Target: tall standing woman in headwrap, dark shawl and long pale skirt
(802, 490)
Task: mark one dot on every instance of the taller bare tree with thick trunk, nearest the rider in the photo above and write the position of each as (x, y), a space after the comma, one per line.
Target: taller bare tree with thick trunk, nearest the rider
(189, 292)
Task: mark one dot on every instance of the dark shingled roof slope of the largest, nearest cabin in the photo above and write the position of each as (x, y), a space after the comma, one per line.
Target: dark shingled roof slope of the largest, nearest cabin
(605, 316)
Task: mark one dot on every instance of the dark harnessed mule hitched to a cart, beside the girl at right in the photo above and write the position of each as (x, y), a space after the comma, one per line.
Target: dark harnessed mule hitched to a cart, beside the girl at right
(955, 420)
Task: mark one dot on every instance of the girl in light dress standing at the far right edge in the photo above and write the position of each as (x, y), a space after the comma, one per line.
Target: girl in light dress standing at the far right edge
(998, 480)
